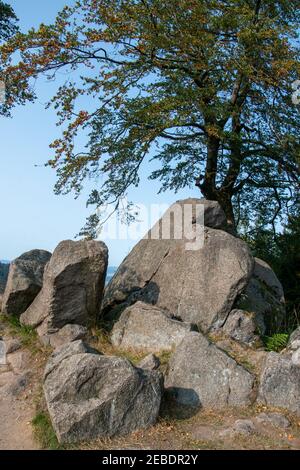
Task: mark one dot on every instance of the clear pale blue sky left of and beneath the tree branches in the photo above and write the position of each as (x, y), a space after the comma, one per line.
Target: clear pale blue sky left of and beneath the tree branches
(31, 215)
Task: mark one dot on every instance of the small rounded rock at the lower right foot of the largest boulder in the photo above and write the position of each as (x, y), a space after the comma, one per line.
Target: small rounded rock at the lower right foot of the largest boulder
(241, 326)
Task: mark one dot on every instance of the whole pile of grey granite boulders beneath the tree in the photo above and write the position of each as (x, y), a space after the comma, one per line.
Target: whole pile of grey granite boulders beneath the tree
(206, 309)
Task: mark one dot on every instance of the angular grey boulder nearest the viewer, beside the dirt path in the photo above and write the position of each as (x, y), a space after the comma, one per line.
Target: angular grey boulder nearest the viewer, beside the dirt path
(90, 396)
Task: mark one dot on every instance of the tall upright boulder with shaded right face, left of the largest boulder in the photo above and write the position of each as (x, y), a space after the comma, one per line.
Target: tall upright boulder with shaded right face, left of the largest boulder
(72, 288)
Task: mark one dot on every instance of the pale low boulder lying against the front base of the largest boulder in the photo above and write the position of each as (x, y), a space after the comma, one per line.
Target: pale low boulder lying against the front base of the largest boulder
(146, 328)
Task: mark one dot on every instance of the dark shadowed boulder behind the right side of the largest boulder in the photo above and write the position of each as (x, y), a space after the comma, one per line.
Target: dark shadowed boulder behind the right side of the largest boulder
(264, 296)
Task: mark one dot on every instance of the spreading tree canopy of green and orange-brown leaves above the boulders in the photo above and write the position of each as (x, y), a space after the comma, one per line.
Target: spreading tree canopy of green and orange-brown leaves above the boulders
(202, 87)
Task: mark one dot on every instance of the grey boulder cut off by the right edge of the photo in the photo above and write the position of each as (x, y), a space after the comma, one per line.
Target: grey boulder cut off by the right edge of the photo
(280, 383)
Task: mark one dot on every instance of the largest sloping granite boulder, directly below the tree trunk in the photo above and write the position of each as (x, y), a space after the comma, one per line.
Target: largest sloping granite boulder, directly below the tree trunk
(197, 286)
